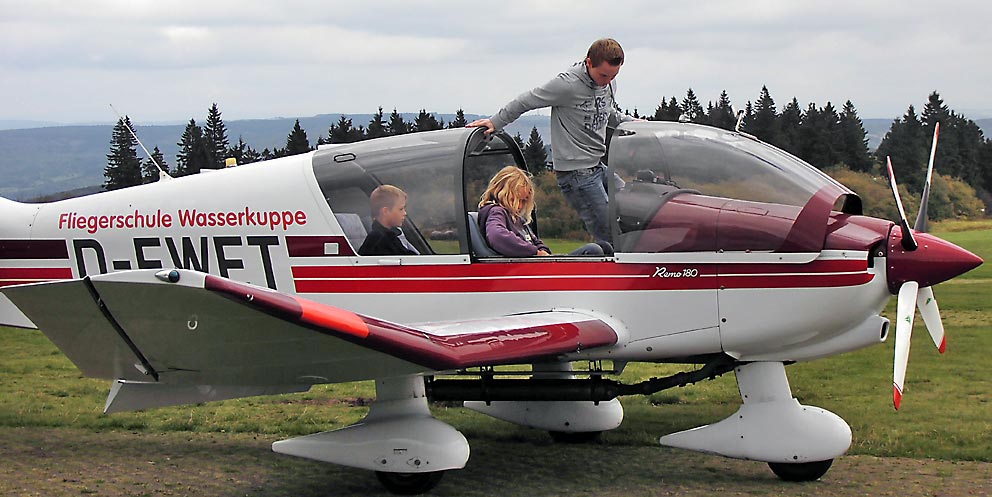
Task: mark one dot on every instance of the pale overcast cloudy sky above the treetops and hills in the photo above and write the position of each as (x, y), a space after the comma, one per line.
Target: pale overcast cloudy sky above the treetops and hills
(168, 61)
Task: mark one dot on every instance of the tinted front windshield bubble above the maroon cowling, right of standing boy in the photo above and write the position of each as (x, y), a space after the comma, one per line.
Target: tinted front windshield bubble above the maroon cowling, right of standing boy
(697, 188)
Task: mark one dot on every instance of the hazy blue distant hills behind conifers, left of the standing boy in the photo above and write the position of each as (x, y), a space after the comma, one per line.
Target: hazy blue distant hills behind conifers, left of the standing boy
(42, 161)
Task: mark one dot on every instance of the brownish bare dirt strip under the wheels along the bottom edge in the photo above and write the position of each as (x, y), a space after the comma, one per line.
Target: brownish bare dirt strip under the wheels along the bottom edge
(61, 462)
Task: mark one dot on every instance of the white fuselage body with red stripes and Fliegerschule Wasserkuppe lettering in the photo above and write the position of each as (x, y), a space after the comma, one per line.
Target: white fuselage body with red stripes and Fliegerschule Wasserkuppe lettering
(268, 224)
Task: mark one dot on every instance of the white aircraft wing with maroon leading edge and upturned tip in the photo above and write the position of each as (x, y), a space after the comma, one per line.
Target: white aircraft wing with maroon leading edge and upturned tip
(181, 327)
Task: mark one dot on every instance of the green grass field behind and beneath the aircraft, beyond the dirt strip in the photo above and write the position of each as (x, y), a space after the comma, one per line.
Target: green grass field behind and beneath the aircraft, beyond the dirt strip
(946, 413)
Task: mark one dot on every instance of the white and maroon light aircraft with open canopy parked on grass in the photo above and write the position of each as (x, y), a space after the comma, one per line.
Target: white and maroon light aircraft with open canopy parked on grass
(731, 255)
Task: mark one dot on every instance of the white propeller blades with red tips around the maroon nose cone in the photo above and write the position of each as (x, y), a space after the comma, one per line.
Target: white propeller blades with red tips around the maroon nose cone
(911, 296)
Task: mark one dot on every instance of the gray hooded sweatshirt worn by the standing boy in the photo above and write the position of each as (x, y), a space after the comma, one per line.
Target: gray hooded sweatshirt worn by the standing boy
(580, 114)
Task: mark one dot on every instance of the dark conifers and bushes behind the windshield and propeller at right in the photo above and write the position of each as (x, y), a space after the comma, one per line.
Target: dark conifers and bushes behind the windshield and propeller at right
(834, 140)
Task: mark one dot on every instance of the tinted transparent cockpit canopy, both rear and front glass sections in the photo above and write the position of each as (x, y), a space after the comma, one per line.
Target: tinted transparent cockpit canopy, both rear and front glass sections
(688, 188)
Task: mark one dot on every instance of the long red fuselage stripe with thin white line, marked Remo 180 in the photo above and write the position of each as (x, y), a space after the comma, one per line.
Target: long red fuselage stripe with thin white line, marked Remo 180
(575, 276)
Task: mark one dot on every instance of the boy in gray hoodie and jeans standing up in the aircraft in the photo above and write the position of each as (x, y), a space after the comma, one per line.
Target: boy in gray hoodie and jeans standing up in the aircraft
(582, 107)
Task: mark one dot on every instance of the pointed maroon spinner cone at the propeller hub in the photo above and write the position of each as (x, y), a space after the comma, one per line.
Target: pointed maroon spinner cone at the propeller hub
(934, 261)
